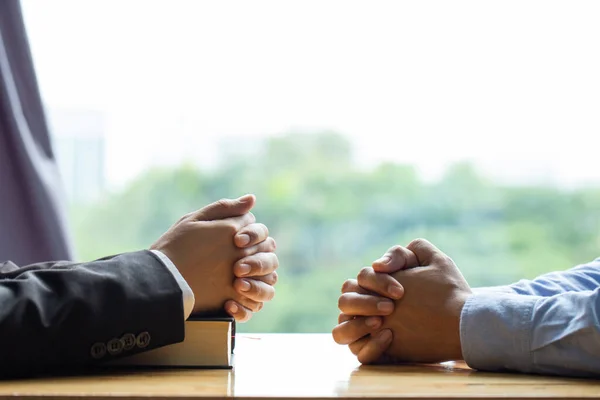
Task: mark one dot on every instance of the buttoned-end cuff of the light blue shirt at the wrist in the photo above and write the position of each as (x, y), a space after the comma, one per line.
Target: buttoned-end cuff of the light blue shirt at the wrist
(495, 331)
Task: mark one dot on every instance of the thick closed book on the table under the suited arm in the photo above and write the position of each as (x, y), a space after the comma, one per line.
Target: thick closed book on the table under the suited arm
(208, 343)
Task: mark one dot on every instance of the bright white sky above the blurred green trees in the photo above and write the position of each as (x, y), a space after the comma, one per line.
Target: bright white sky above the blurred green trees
(513, 85)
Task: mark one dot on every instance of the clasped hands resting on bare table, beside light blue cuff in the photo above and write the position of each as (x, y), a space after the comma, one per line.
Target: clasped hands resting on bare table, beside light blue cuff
(404, 308)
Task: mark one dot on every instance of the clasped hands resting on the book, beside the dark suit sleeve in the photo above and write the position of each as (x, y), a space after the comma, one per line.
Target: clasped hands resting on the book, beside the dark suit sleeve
(227, 259)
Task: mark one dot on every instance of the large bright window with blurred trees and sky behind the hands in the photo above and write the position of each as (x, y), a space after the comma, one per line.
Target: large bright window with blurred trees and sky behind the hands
(358, 125)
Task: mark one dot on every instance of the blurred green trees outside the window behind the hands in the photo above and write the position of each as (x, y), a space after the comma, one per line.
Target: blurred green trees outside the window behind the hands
(330, 218)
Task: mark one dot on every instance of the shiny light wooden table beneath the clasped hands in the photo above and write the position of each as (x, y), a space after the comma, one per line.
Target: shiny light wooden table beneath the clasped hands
(284, 366)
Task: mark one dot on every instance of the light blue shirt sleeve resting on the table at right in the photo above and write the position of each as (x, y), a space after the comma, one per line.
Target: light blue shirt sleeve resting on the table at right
(549, 325)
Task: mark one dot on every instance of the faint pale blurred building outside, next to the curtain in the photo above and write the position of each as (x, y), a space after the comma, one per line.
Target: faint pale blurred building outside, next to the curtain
(78, 138)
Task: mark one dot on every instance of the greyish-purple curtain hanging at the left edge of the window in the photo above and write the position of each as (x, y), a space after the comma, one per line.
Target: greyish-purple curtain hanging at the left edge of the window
(32, 218)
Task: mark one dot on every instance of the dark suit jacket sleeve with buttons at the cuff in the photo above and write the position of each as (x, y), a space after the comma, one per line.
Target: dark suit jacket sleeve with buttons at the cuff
(57, 315)
